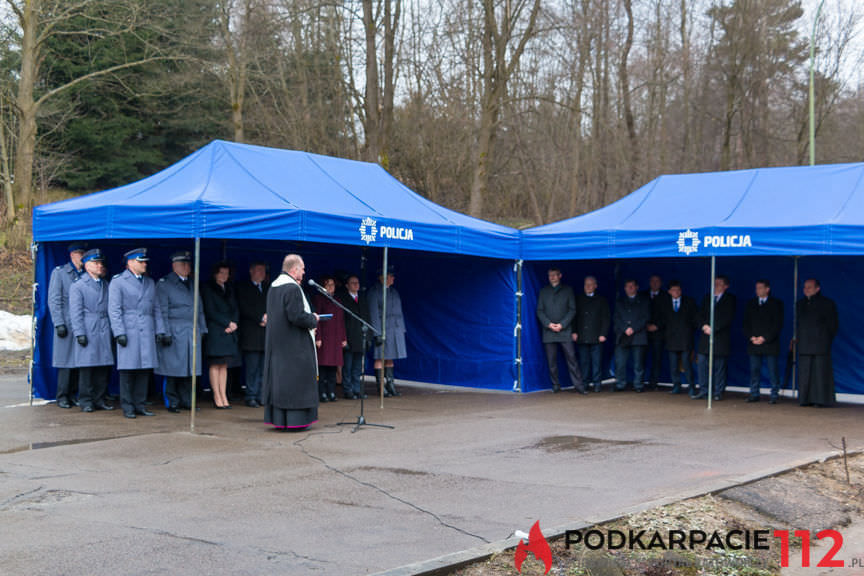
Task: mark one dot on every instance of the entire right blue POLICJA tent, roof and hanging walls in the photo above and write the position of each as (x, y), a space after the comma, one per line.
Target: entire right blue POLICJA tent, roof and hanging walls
(671, 224)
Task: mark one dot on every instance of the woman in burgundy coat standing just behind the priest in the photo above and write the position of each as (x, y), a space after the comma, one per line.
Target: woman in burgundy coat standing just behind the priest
(330, 339)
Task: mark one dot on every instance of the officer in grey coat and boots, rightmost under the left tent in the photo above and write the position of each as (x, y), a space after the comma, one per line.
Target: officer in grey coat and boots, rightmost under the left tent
(394, 346)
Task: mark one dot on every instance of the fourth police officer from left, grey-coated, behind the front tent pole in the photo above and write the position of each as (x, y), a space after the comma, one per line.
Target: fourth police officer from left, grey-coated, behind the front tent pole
(175, 294)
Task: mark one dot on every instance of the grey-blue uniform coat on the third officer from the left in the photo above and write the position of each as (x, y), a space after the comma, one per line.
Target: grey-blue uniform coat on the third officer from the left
(134, 311)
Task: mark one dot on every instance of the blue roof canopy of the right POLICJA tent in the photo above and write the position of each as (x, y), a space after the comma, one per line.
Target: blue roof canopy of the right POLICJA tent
(796, 211)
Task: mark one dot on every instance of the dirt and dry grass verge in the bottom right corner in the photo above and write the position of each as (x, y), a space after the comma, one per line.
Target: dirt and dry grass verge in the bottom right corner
(813, 498)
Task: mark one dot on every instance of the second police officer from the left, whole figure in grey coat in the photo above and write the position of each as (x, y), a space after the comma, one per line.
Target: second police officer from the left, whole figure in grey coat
(88, 310)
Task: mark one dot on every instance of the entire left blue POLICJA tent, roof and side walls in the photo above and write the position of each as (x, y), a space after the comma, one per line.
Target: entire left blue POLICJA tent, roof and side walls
(248, 202)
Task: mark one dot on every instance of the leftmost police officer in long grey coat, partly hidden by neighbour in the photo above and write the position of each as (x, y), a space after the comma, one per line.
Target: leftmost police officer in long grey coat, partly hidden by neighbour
(58, 303)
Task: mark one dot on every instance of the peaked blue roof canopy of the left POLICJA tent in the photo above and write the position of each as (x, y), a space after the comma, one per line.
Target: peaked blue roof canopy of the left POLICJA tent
(238, 191)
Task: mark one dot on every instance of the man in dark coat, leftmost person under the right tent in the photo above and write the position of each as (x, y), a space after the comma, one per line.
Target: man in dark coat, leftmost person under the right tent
(556, 308)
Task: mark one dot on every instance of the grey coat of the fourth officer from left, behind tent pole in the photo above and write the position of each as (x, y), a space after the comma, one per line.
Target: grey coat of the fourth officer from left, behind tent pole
(176, 304)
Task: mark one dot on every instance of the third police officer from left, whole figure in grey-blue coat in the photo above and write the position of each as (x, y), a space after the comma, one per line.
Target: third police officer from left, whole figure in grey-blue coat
(137, 323)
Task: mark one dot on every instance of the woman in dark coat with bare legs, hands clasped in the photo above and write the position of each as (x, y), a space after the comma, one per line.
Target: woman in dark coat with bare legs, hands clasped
(222, 313)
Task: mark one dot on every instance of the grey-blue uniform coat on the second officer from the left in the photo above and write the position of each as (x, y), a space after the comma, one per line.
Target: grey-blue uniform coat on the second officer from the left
(88, 308)
